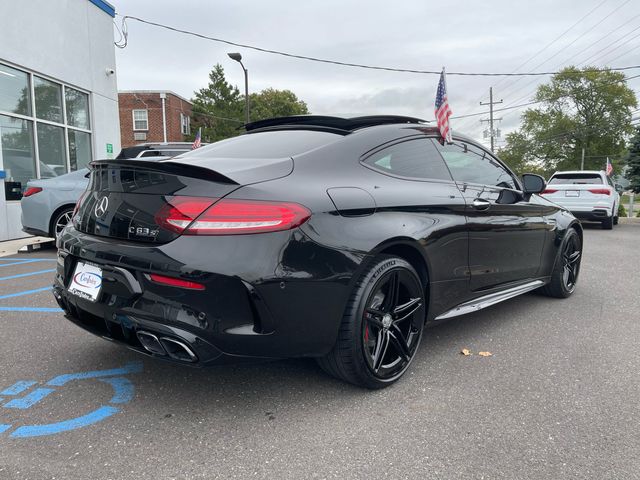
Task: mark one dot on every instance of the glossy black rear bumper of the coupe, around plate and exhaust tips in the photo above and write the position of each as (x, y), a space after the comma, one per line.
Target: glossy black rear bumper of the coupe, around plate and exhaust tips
(262, 299)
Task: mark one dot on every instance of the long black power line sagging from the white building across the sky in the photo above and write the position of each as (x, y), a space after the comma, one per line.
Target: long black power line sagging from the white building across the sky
(344, 64)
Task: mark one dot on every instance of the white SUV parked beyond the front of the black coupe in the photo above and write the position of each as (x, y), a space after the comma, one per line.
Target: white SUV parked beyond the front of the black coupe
(588, 194)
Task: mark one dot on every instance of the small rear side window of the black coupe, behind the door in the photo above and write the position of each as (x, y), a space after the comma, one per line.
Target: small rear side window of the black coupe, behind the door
(413, 159)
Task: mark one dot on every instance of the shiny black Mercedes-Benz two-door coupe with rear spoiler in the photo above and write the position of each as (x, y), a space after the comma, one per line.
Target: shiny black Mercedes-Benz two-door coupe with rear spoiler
(334, 238)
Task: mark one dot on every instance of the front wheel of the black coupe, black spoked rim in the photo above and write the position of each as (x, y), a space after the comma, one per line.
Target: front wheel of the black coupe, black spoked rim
(567, 267)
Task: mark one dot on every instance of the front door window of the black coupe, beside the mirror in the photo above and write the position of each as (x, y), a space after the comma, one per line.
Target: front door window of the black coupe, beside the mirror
(475, 166)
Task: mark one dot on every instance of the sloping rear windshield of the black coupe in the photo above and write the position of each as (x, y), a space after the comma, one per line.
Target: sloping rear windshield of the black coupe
(276, 144)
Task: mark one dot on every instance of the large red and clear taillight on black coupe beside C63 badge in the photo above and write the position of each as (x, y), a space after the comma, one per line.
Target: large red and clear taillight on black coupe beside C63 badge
(231, 217)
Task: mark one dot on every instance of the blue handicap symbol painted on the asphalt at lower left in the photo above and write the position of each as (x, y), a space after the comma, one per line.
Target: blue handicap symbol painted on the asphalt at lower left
(22, 395)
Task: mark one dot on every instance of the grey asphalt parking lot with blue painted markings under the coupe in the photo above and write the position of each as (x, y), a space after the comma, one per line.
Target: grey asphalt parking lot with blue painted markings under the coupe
(557, 399)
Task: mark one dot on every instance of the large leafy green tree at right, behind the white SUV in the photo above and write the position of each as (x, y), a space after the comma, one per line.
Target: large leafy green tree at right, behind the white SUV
(578, 109)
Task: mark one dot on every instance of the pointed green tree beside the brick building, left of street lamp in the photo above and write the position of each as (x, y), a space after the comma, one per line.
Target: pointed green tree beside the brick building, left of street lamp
(217, 108)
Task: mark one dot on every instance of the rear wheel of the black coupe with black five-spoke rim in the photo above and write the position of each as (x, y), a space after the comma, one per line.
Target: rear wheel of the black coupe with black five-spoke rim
(381, 327)
